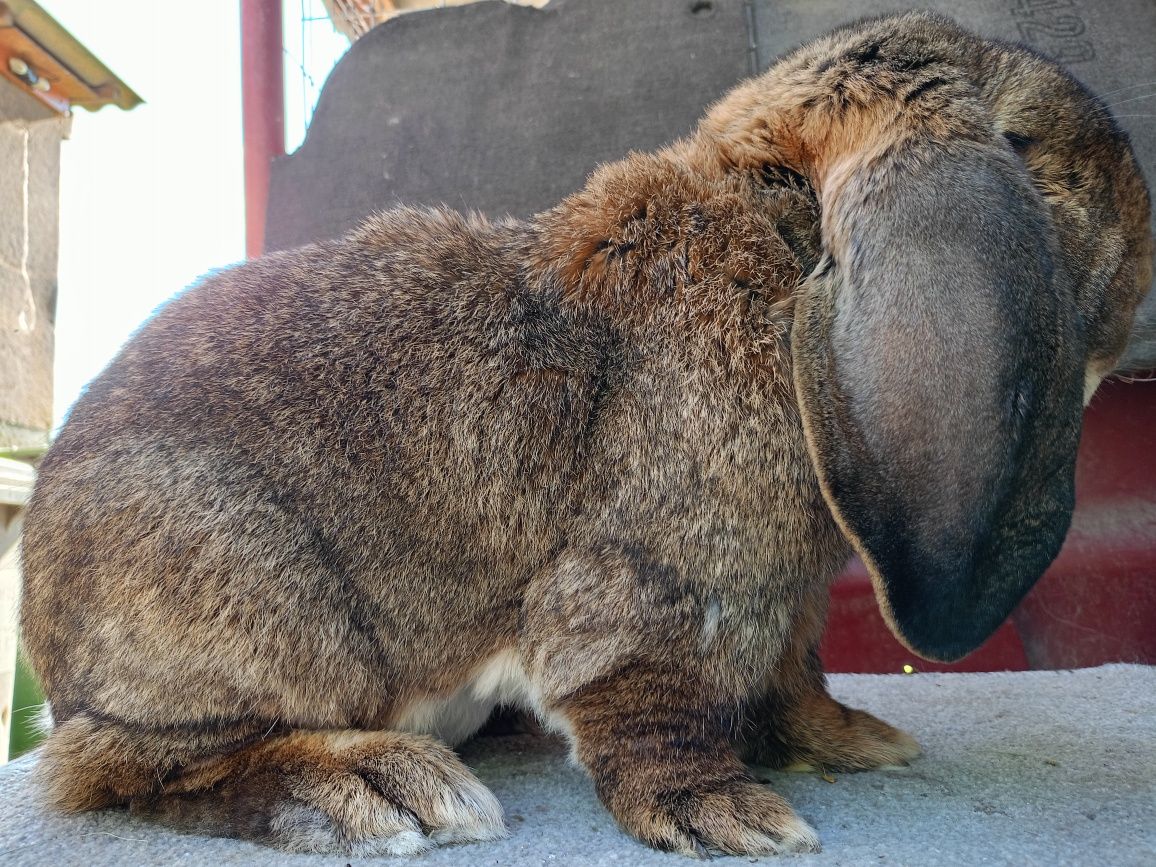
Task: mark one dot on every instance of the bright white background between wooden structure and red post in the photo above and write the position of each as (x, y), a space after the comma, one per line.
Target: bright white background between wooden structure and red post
(153, 198)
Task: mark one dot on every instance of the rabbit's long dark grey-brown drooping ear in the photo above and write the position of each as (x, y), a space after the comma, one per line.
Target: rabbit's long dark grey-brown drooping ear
(939, 367)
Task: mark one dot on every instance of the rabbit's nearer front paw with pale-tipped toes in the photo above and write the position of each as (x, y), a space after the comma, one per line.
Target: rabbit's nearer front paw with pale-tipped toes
(738, 819)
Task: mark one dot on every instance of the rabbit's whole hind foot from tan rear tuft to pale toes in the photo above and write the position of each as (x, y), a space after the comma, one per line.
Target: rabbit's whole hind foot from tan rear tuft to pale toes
(359, 794)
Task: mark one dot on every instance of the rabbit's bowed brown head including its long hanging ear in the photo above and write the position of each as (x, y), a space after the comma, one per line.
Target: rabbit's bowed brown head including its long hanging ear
(985, 244)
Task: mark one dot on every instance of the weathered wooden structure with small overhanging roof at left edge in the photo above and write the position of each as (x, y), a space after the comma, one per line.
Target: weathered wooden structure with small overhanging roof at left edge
(45, 72)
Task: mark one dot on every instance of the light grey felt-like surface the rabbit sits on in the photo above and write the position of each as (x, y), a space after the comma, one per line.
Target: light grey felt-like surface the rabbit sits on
(1036, 768)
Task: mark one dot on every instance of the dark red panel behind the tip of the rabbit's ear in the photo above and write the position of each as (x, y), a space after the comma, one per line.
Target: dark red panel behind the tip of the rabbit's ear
(1098, 603)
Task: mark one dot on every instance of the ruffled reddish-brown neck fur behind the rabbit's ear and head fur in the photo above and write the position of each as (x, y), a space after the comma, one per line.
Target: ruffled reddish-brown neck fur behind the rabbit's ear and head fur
(658, 247)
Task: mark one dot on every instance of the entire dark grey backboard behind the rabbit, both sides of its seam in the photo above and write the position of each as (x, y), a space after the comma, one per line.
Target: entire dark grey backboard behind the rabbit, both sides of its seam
(506, 109)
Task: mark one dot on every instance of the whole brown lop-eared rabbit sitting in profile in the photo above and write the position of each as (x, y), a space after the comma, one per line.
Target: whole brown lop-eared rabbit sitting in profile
(329, 508)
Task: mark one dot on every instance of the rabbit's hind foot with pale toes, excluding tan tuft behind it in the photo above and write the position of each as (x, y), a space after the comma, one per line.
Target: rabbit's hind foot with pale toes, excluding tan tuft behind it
(360, 794)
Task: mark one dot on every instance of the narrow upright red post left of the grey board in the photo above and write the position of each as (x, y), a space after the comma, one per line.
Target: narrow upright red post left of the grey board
(263, 106)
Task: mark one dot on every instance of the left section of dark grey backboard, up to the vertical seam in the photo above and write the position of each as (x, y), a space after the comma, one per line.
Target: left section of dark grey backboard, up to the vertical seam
(502, 109)
